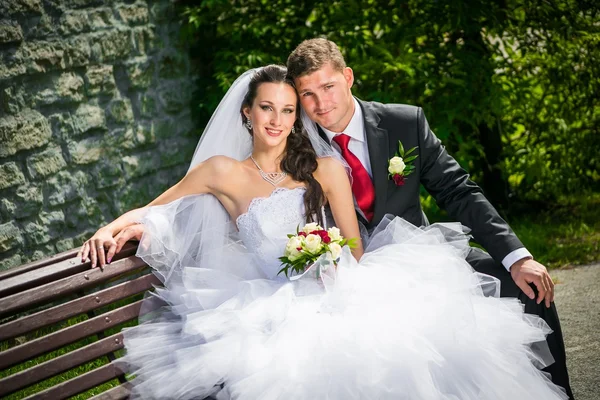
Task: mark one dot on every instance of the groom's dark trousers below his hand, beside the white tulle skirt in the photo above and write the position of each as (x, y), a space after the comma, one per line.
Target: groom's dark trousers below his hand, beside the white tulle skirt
(482, 262)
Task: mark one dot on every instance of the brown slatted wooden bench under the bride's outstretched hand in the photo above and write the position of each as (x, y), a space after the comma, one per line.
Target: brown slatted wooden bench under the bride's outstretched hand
(59, 315)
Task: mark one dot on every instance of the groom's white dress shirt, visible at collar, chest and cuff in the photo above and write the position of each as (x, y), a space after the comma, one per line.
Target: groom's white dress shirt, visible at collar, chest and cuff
(358, 146)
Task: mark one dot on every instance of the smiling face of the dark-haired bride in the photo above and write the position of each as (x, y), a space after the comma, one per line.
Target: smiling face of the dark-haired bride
(273, 113)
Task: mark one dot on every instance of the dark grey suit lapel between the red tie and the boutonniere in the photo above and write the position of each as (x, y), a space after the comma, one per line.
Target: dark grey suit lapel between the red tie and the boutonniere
(377, 141)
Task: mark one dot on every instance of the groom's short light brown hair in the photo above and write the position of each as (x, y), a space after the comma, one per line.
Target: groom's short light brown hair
(311, 55)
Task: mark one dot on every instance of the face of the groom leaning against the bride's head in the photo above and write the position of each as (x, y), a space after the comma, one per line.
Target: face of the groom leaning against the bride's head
(326, 97)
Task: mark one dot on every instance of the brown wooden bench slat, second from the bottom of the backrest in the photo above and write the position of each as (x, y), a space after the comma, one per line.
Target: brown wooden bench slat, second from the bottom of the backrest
(78, 384)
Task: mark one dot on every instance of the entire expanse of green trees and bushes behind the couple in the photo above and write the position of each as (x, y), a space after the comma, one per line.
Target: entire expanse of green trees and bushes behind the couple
(510, 87)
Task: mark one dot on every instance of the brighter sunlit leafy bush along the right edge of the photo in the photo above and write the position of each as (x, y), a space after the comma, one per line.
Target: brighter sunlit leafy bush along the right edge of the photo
(552, 116)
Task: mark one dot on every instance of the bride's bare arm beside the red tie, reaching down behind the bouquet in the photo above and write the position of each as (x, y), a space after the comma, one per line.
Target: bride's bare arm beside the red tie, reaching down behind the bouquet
(335, 183)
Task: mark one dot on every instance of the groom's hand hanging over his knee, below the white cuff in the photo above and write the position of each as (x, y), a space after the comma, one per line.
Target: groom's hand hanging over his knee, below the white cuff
(528, 271)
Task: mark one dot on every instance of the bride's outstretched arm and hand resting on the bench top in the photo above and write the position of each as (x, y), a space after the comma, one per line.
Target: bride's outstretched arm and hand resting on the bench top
(203, 178)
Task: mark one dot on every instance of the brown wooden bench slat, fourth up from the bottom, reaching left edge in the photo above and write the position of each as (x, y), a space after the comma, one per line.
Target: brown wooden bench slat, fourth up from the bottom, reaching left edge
(68, 335)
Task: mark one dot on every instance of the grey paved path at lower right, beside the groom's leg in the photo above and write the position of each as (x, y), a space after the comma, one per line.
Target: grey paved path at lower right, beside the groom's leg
(578, 303)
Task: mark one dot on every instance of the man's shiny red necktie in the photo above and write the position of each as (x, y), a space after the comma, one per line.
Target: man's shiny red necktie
(362, 186)
